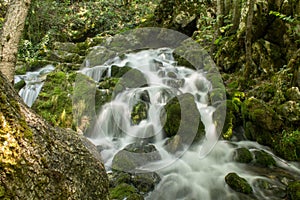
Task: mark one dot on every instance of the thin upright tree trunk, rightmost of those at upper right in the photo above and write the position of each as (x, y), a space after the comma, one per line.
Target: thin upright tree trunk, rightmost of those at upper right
(248, 40)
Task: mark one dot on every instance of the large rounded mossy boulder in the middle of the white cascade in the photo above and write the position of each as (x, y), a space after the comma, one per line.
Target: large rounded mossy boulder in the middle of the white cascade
(182, 117)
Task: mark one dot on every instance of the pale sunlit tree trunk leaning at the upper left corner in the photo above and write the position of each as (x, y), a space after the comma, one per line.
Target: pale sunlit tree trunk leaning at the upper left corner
(11, 34)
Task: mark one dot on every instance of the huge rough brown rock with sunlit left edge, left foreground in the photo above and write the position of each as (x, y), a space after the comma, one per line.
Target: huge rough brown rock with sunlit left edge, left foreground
(39, 161)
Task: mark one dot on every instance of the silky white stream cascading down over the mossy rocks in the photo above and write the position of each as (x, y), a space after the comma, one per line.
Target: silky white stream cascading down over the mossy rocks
(191, 173)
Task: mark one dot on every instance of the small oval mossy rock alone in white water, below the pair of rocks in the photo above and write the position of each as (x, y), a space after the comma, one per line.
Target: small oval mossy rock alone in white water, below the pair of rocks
(238, 183)
